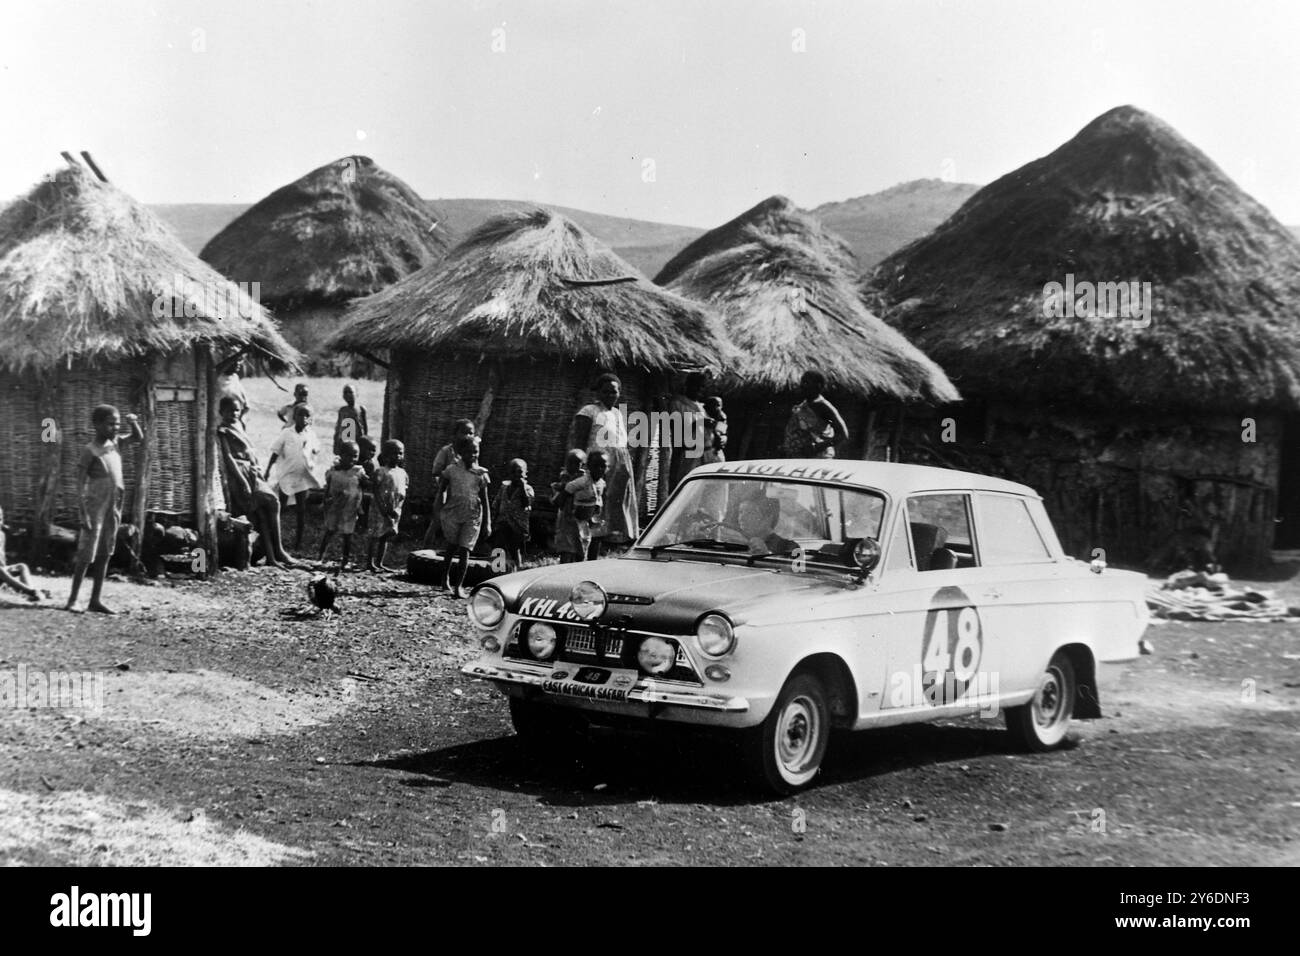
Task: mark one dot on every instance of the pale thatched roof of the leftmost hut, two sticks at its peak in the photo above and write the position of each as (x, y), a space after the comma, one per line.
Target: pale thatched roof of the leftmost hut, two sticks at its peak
(89, 274)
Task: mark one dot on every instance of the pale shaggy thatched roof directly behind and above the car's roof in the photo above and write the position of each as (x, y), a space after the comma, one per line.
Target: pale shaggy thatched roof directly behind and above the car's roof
(788, 308)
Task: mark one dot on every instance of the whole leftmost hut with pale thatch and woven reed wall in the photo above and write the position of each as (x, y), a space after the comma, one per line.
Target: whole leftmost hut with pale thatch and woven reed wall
(99, 302)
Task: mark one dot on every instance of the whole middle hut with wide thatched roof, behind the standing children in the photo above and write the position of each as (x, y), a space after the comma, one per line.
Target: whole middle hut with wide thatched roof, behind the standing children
(512, 328)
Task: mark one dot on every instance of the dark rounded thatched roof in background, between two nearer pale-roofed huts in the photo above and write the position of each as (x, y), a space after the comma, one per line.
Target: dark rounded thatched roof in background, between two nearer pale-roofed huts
(341, 232)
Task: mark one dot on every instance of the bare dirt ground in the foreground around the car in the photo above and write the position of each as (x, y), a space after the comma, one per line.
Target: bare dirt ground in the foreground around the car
(235, 733)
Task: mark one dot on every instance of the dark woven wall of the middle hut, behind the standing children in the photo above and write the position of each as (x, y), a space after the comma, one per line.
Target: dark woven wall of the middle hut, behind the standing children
(532, 406)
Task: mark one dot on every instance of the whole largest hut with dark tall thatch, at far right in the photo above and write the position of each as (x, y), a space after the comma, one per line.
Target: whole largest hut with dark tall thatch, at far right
(1151, 401)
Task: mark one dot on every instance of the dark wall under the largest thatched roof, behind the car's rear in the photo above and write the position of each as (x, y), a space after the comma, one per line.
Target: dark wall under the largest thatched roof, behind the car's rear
(1125, 483)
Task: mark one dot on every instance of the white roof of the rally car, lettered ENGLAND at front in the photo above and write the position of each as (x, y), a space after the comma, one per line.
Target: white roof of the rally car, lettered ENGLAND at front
(891, 478)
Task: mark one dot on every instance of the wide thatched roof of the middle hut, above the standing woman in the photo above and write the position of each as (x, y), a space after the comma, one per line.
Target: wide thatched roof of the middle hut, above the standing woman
(535, 283)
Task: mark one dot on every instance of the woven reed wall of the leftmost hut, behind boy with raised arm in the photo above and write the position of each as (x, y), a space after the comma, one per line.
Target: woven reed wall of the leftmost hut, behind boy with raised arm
(67, 399)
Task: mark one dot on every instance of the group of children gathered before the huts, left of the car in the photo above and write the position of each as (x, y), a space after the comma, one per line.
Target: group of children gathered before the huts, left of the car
(358, 483)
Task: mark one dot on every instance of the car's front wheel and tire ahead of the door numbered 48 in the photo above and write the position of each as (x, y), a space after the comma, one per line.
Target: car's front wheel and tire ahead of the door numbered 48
(785, 752)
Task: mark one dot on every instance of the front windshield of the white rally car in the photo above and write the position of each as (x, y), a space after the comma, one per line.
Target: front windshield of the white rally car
(772, 520)
